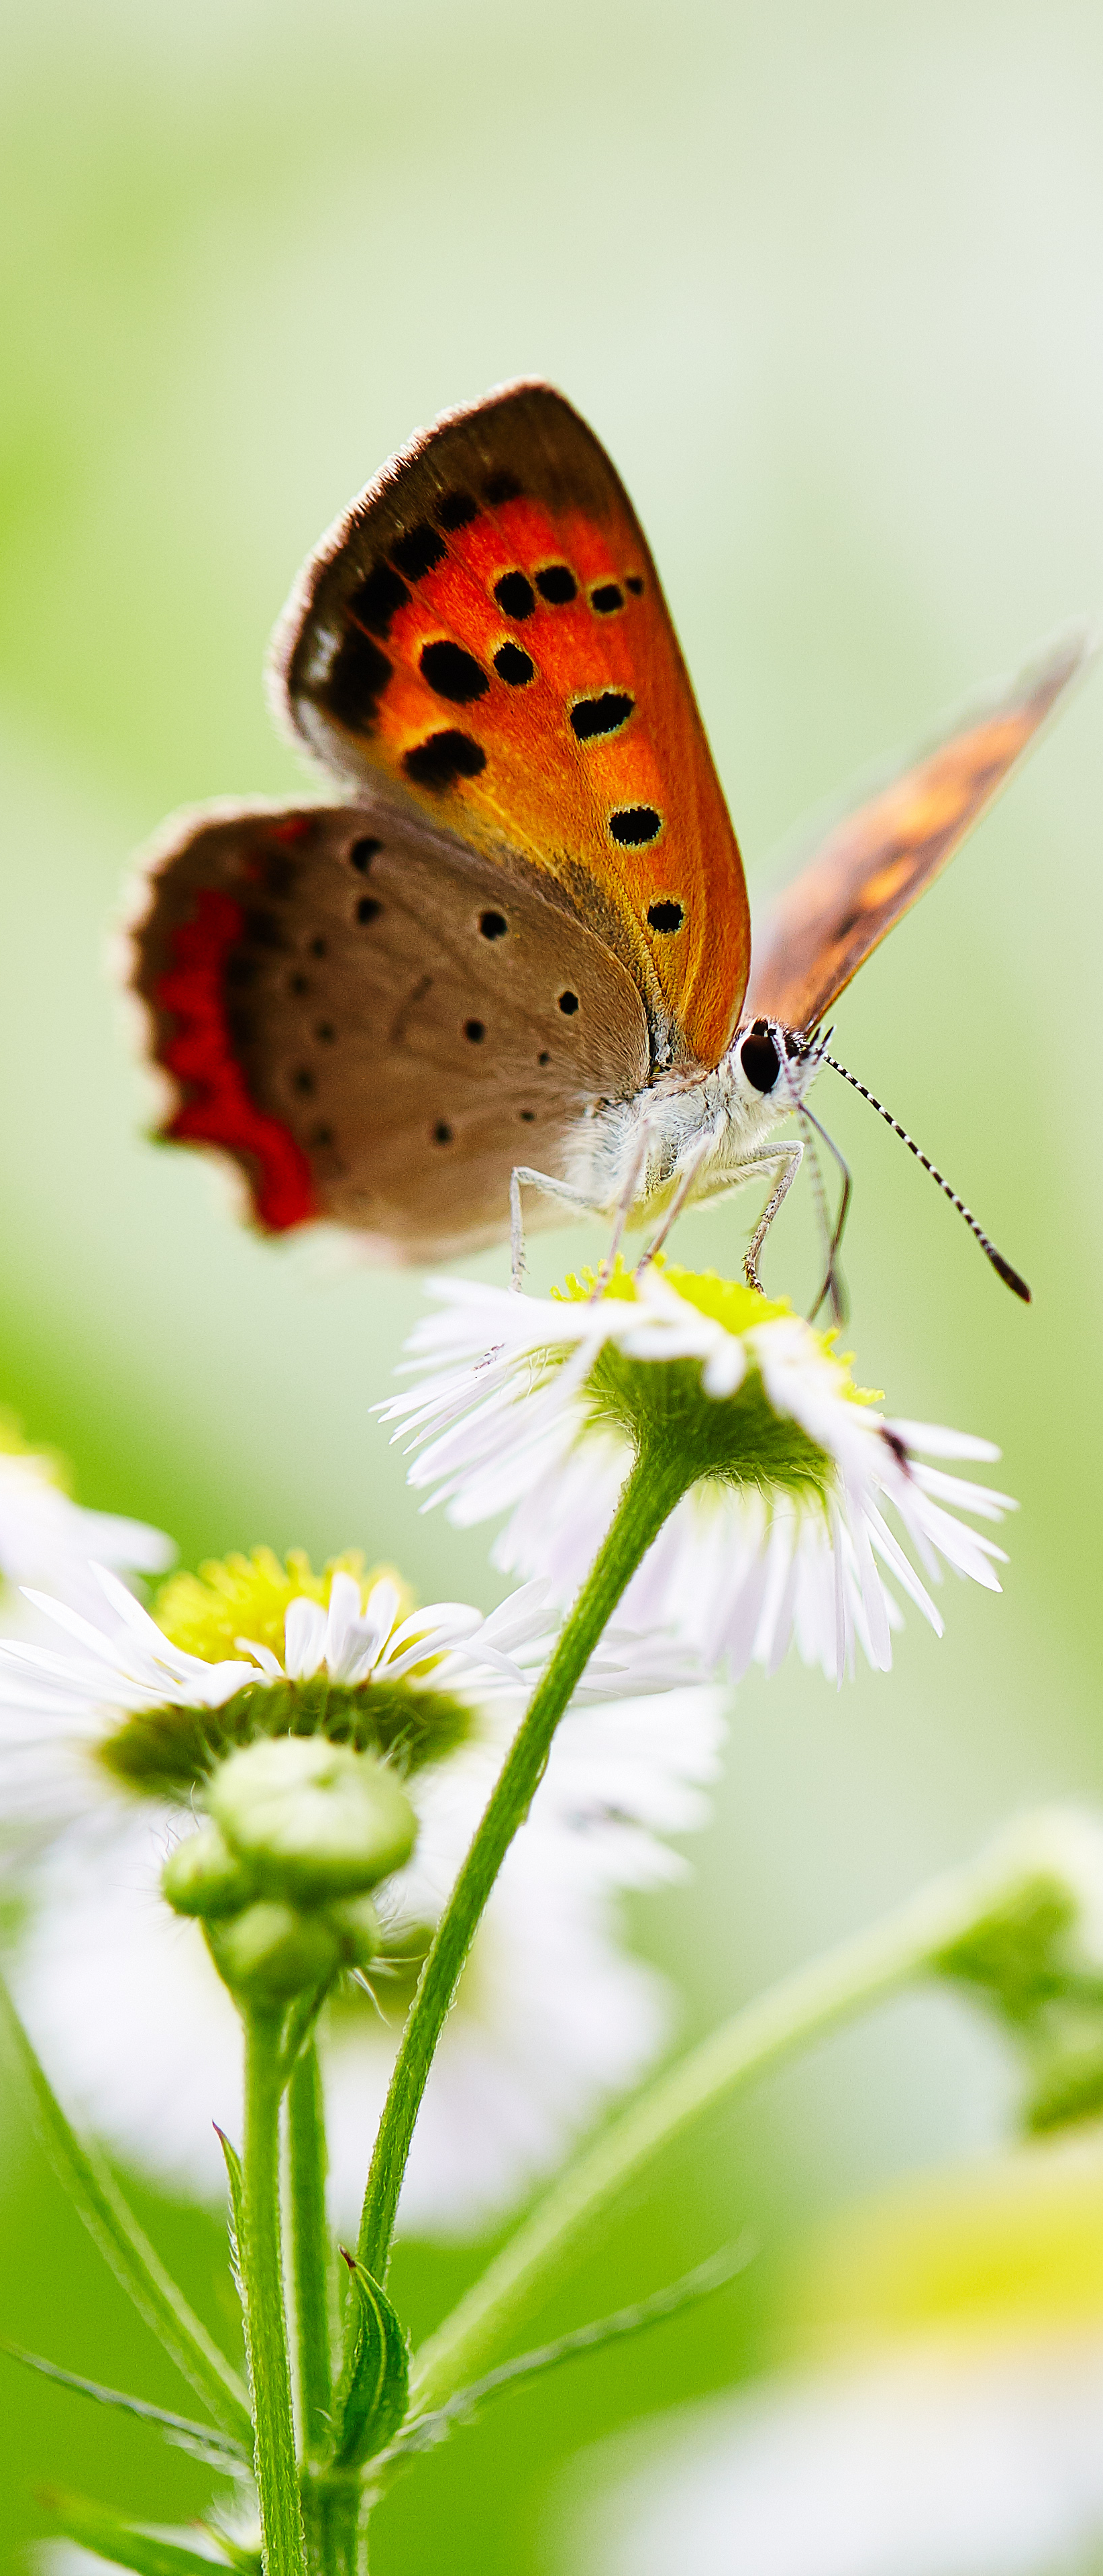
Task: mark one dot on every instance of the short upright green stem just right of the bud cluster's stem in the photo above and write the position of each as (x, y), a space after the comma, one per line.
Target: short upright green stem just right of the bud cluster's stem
(313, 2281)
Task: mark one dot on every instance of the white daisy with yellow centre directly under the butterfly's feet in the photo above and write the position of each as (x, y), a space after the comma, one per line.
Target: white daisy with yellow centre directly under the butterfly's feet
(785, 1467)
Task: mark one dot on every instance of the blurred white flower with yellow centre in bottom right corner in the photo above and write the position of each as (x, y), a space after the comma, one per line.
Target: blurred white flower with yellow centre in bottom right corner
(950, 2423)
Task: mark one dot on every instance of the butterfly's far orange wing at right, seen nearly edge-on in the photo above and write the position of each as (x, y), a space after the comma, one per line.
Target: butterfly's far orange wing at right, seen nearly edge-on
(878, 859)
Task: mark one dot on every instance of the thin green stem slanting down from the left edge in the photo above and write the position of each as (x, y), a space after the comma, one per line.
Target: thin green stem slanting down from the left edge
(125, 2245)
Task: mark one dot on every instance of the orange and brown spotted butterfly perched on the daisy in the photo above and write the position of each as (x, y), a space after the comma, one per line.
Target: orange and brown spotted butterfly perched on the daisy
(514, 947)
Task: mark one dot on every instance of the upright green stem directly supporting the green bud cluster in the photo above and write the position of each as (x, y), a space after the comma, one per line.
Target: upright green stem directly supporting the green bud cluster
(262, 2260)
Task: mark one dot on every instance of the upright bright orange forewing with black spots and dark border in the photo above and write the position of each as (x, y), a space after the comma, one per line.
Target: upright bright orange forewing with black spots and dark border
(486, 630)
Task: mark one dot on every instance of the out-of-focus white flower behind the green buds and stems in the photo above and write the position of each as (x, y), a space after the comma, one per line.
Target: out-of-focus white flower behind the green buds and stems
(553, 2016)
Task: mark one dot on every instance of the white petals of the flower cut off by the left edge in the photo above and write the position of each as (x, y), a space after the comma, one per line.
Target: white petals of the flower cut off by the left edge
(48, 1539)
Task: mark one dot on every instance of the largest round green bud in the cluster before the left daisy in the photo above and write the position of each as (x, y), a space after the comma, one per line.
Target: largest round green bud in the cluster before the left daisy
(313, 1820)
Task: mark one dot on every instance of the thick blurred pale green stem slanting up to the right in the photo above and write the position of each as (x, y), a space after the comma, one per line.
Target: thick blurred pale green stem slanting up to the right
(862, 1972)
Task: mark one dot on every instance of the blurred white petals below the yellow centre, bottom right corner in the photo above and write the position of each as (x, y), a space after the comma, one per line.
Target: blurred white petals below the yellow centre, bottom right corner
(926, 2464)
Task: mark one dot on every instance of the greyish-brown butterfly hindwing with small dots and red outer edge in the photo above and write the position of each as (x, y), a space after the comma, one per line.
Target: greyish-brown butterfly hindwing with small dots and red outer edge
(372, 1024)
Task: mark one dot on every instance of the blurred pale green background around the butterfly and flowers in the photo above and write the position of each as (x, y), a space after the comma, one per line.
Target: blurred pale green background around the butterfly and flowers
(831, 287)
